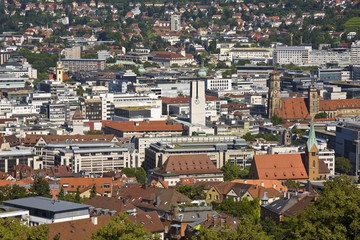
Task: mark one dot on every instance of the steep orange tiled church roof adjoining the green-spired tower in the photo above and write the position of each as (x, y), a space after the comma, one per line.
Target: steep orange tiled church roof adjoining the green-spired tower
(280, 166)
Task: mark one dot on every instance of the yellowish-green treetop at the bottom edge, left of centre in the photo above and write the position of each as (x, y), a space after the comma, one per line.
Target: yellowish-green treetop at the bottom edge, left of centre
(121, 227)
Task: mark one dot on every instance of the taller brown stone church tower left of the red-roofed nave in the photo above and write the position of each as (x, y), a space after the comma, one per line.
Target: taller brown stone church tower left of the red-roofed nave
(274, 101)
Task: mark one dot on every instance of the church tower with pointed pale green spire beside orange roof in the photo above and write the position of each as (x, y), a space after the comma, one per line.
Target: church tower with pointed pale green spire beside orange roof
(312, 155)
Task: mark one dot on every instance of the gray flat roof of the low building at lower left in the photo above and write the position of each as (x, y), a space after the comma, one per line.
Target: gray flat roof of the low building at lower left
(46, 204)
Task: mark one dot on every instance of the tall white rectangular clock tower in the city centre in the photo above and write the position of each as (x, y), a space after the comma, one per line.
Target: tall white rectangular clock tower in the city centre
(197, 102)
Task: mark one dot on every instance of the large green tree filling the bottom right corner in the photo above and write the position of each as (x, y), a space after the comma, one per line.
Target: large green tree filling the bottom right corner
(335, 215)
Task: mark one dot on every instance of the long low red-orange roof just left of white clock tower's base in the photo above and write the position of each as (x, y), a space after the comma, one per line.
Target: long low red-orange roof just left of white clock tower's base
(143, 126)
